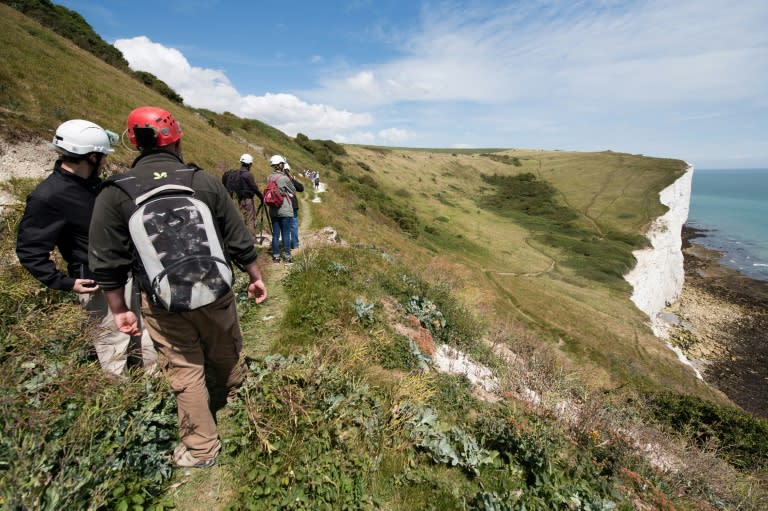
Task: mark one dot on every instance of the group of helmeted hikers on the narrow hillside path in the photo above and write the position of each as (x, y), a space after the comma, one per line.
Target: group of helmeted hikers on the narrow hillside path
(149, 253)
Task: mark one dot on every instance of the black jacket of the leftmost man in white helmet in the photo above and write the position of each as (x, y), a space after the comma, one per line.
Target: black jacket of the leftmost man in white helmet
(58, 214)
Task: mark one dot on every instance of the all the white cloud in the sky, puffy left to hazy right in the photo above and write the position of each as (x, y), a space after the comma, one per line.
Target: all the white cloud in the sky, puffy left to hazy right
(651, 76)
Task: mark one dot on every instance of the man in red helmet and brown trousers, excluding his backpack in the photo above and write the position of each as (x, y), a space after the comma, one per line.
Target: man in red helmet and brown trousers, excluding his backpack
(200, 343)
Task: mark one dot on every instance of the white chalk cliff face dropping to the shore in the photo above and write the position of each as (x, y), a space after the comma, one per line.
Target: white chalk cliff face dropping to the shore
(658, 277)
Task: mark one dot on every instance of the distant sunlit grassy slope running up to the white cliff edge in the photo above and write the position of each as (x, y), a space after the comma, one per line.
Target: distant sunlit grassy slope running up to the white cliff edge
(511, 271)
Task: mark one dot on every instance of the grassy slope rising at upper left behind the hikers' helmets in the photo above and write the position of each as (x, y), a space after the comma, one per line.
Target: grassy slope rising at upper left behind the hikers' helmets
(45, 79)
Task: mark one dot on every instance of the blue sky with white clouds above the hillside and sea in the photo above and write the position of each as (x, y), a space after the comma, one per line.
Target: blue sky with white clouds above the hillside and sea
(679, 78)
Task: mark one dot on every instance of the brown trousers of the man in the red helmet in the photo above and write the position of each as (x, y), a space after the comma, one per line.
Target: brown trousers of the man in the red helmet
(194, 346)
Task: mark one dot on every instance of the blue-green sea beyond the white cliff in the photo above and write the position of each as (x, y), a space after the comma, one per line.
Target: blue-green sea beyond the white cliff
(731, 206)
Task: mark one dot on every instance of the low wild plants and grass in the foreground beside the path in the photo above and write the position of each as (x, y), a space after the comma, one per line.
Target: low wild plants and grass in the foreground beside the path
(339, 411)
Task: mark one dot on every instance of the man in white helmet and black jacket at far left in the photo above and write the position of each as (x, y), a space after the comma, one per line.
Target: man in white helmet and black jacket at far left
(58, 214)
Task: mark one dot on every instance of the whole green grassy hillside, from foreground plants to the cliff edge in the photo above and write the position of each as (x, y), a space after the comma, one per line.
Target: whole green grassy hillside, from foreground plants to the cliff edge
(336, 413)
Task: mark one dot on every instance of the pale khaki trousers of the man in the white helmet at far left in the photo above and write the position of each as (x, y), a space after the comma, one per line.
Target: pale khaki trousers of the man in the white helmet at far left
(113, 347)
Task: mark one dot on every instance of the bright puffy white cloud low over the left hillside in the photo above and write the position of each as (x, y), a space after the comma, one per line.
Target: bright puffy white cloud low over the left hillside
(210, 88)
